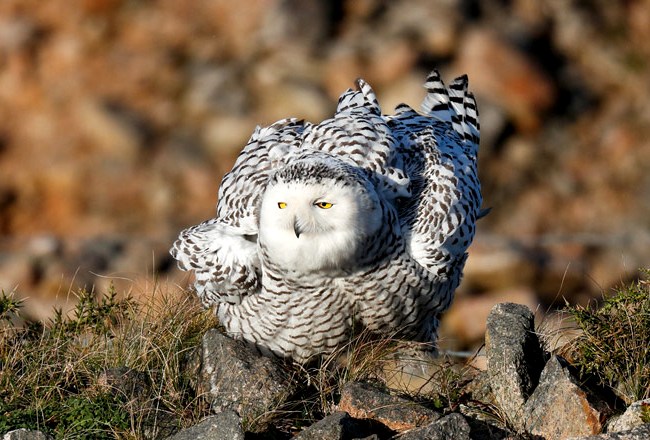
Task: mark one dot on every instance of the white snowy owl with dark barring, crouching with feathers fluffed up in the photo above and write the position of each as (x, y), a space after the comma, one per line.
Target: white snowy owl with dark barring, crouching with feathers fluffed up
(361, 219)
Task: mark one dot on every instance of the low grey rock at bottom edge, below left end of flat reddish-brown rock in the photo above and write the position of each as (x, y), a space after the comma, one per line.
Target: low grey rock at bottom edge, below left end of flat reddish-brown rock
(340, 426)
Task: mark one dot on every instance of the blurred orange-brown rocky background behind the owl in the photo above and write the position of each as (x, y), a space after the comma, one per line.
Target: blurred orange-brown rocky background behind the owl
(119, 117)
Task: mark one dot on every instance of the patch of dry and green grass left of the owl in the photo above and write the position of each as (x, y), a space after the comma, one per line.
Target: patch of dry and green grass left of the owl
(60, 377)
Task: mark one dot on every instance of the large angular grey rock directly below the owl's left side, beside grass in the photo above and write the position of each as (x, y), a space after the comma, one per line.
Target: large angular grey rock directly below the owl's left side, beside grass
(234, 376)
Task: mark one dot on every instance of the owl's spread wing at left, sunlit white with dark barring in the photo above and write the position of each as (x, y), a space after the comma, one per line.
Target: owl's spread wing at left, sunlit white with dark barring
(222, 251)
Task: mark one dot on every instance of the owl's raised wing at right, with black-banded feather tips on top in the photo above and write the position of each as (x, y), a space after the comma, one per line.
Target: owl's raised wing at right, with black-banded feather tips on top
(439, 150)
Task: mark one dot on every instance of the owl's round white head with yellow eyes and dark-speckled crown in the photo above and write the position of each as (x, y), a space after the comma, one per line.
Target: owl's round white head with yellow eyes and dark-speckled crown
(315, 214)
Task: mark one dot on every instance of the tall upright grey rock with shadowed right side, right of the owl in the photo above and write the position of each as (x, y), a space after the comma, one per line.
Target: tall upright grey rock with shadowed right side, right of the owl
(514, 358)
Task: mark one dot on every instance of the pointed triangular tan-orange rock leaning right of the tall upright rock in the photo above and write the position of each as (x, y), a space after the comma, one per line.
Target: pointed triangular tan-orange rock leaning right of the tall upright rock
(560, 408)
